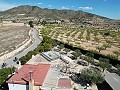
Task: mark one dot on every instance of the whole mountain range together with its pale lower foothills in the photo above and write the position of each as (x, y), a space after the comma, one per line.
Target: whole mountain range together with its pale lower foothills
(77, 17)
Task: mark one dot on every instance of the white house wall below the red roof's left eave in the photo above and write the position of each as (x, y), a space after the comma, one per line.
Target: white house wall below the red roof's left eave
(18, 87)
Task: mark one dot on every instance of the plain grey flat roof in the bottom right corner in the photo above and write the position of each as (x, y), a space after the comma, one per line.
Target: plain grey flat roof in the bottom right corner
(113, 80)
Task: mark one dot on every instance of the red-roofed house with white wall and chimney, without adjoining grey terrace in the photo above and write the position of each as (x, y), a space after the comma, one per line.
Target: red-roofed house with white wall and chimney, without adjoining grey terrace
(29, 77)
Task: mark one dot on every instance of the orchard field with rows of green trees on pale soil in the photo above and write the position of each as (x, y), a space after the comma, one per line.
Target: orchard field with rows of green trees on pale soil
(101, 41)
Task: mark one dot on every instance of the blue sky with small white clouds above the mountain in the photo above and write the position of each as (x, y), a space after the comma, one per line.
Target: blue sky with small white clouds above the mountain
(106, 8)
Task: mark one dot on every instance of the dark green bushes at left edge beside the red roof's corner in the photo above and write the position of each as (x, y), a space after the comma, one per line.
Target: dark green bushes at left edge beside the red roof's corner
(4, 72)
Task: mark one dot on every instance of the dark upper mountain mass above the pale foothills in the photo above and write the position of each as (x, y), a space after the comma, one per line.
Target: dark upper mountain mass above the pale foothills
(47, 13)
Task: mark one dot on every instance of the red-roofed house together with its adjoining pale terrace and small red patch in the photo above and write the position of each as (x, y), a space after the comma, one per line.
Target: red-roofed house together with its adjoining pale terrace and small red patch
(39, 77)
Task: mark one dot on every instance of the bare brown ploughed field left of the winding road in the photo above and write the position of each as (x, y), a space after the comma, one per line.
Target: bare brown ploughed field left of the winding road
(12, 37)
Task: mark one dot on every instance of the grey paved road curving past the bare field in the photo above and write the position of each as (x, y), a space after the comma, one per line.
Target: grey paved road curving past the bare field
(36, 42)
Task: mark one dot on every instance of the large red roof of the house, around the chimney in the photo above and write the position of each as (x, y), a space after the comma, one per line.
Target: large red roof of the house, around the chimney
(39, 73)
